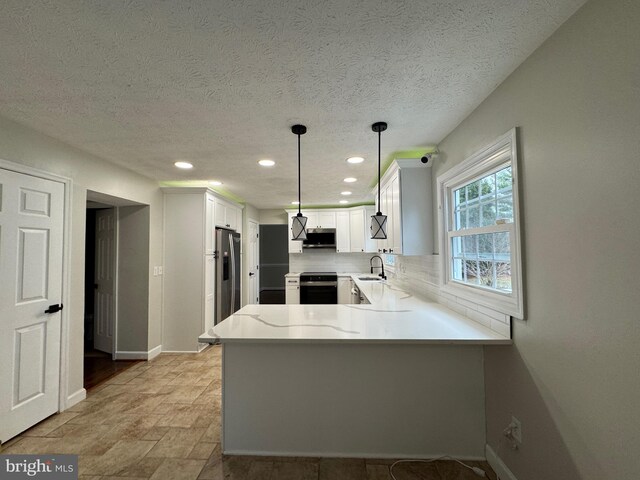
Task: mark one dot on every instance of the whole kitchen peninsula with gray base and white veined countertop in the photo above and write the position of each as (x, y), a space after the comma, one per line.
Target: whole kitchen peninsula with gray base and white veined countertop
(401, 376)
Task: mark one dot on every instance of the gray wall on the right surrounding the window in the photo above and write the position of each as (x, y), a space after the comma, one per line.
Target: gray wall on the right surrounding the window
(572, 375)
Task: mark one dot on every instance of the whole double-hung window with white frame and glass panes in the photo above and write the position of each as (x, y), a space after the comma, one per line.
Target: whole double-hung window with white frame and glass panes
(480, 239)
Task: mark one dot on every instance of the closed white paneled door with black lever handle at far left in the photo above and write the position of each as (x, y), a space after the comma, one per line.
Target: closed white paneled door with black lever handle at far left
(31, 246)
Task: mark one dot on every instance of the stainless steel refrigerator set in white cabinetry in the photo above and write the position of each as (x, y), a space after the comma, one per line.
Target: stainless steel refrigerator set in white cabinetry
(227, 273)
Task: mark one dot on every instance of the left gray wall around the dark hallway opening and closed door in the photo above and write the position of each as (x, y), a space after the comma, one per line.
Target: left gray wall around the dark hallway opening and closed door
(25, 146)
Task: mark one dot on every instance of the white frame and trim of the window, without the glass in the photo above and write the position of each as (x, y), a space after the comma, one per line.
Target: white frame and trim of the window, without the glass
(500, 153)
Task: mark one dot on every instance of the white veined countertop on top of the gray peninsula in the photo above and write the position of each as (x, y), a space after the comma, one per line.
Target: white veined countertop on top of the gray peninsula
(394, 316)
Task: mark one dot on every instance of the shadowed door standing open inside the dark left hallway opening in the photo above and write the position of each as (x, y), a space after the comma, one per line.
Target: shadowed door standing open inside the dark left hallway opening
(105, 270)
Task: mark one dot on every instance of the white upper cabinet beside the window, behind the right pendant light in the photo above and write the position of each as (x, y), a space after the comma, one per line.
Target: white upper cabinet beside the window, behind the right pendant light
(406, 199)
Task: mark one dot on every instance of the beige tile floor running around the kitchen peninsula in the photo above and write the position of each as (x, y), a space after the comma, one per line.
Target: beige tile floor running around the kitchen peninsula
(161, 420)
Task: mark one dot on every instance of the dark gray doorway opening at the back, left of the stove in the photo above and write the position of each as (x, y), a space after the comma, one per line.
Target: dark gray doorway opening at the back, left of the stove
(274, 263)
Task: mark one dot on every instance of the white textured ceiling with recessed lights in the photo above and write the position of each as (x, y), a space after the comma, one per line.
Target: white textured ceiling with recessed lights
(219, 83)
